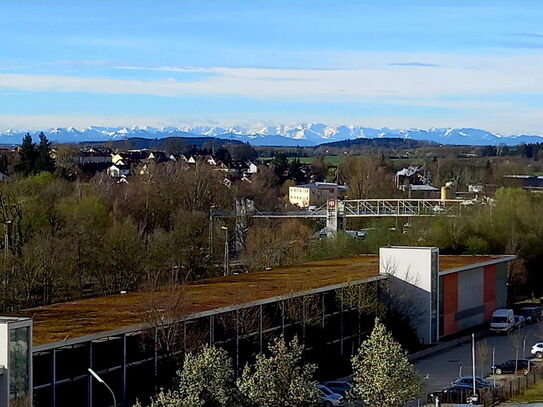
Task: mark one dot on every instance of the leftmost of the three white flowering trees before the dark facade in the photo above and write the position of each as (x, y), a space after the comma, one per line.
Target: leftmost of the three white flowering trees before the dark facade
(206, 380)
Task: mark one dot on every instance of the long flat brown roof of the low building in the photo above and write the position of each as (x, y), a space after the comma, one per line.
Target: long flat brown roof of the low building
(70, 320)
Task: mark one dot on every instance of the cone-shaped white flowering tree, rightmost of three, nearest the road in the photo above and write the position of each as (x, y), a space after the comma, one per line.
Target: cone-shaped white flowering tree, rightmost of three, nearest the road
(382, 374)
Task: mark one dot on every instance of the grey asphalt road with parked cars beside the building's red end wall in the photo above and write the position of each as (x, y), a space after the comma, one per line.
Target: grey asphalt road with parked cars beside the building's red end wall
(445, 367)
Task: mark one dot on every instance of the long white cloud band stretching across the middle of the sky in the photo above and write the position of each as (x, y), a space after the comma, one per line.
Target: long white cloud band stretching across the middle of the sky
(491, 76)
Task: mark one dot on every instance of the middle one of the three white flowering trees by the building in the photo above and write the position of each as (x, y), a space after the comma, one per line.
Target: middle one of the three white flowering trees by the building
(280, 380)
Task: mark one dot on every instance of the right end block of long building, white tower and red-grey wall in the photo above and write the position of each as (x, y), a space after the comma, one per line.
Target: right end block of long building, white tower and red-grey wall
(448, 293)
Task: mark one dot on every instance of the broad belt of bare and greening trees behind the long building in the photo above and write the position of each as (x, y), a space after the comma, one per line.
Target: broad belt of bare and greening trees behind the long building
(67, 239)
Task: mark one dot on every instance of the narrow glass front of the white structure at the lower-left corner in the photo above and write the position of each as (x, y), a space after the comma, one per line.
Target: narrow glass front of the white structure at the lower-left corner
(19, 375)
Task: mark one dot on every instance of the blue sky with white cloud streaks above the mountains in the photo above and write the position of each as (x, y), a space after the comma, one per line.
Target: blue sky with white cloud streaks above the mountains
(393, 63)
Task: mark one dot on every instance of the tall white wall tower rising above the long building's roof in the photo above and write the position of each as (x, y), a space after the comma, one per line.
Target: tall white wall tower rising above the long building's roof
(413, 285)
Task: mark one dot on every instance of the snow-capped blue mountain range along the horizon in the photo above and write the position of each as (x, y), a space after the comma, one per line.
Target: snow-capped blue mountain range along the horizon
(303, 134)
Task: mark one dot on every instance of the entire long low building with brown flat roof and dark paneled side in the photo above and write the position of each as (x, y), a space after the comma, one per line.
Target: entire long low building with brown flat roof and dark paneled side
(136, 340)
